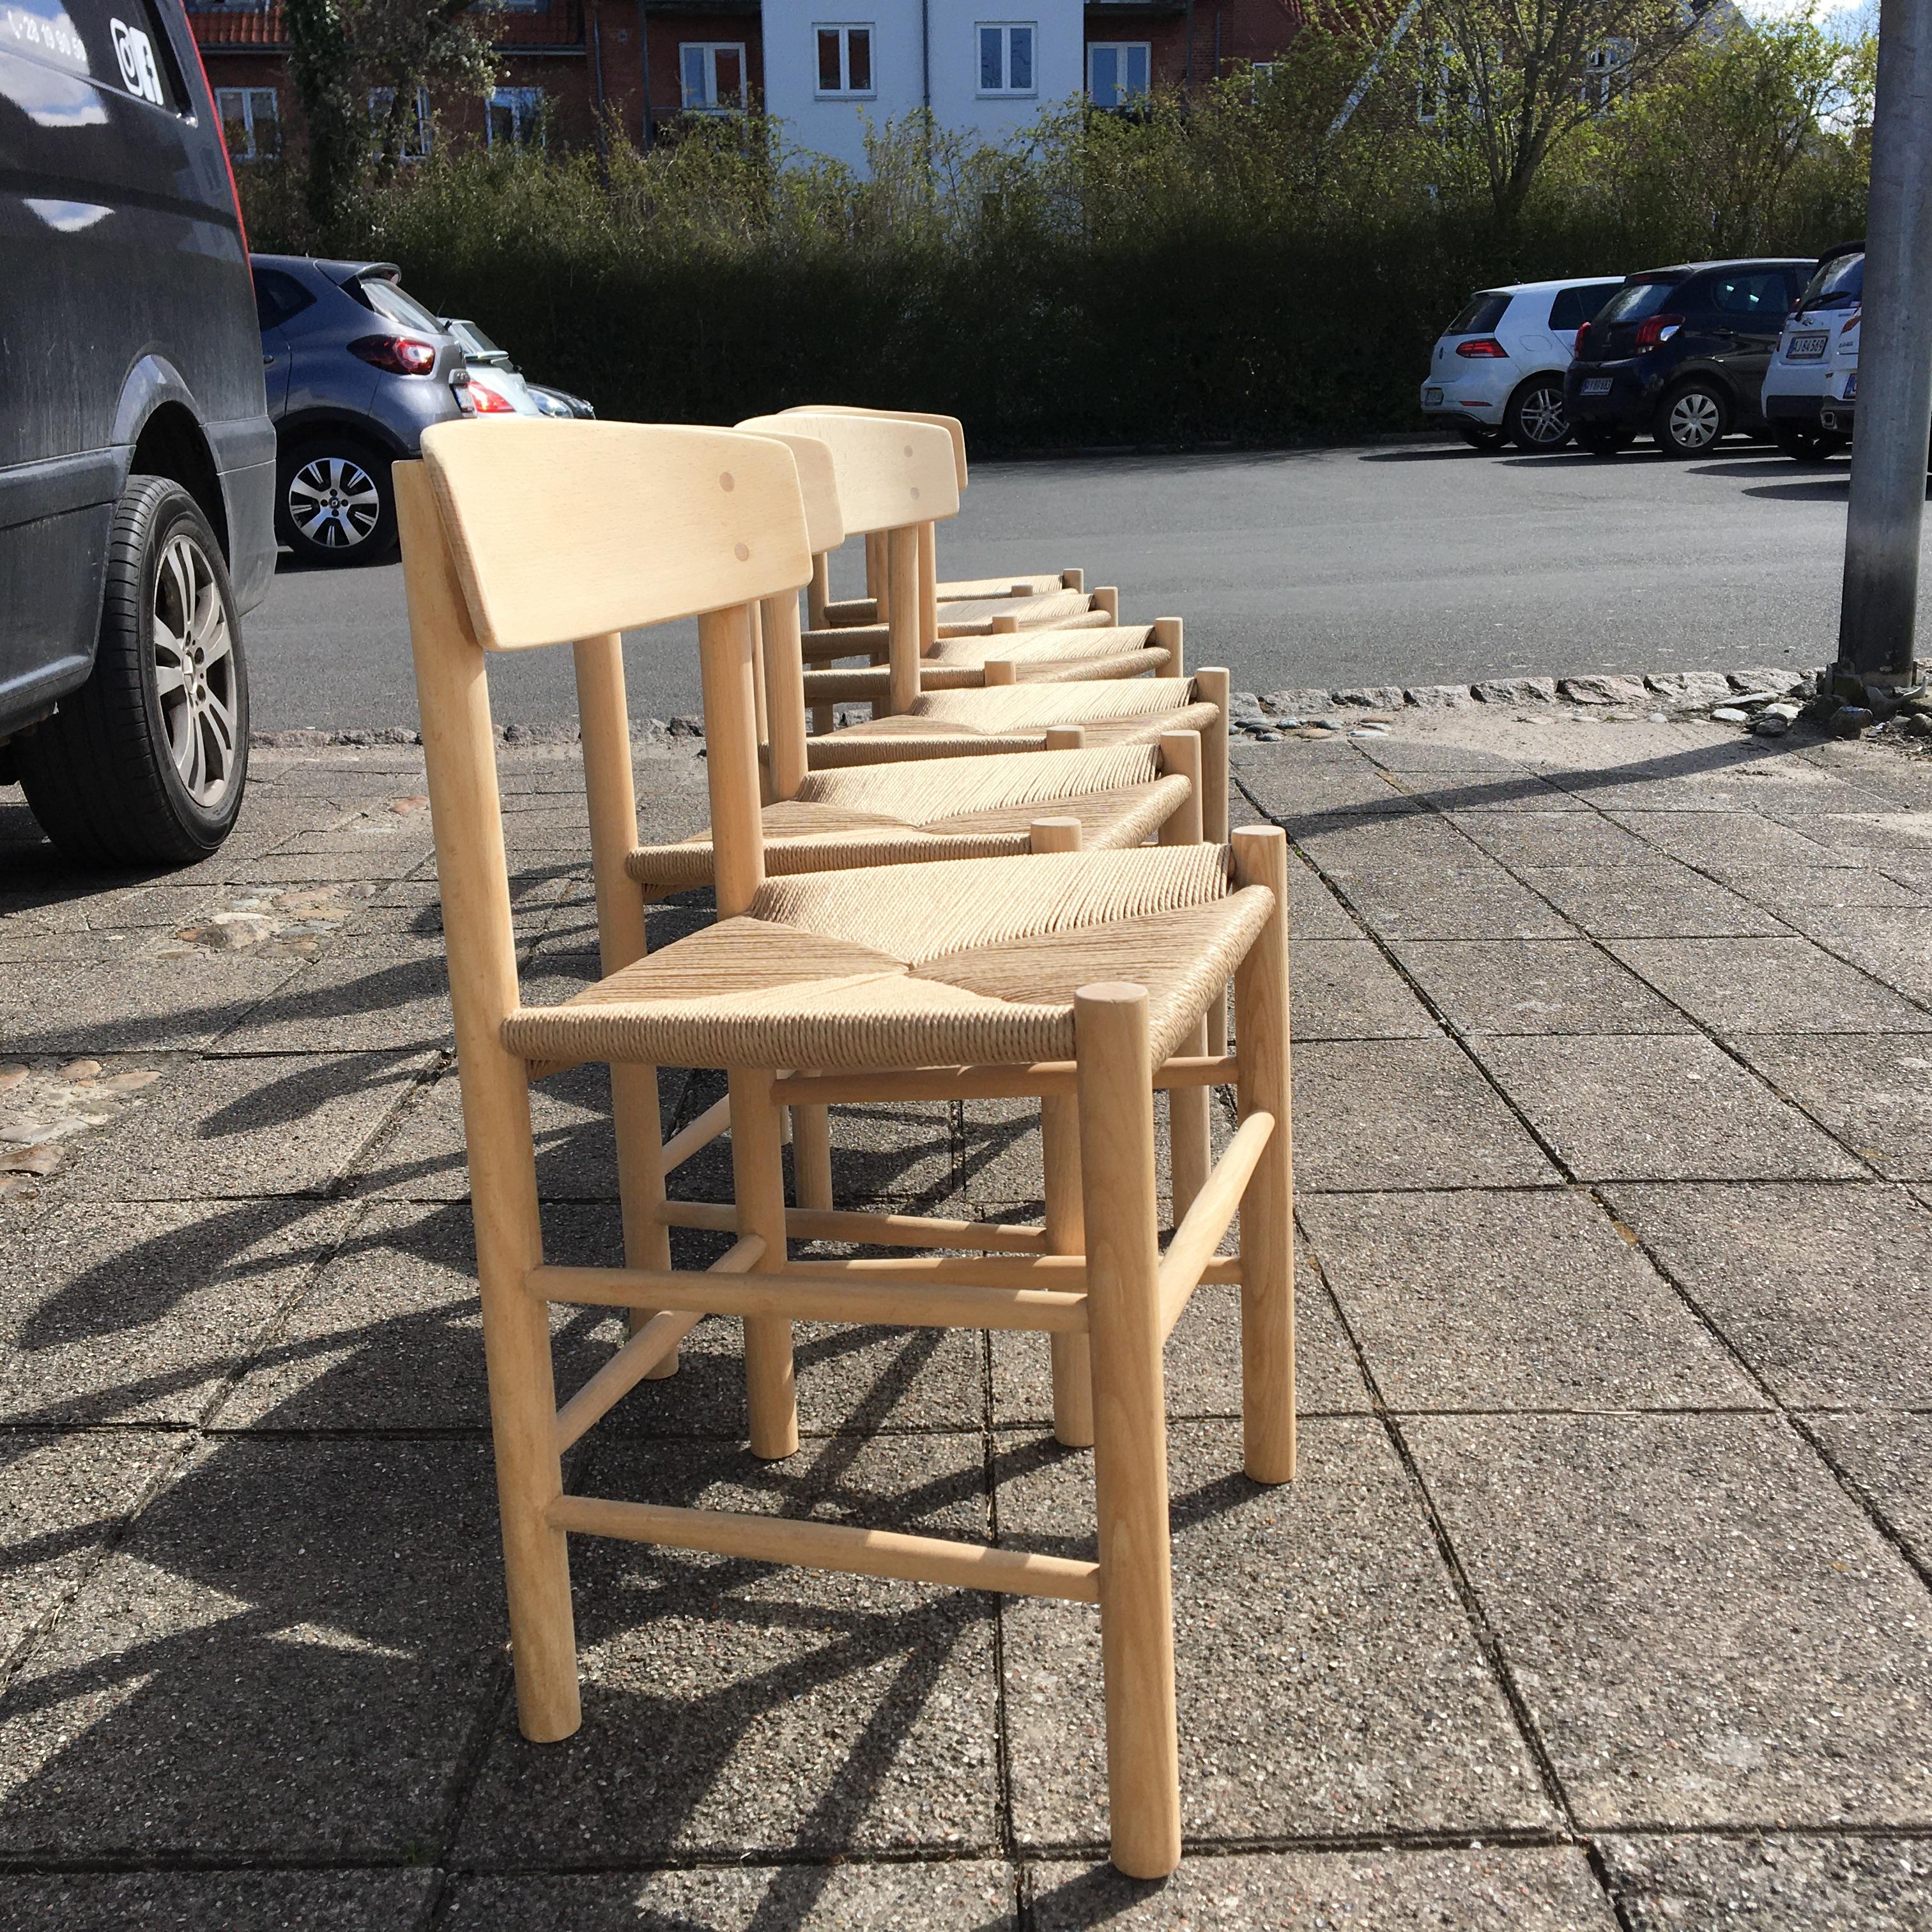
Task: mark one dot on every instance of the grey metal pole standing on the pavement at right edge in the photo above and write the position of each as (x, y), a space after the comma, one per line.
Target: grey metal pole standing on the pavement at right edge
(1889, 465)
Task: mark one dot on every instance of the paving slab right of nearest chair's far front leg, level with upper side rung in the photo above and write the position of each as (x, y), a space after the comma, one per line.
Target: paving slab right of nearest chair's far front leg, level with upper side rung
(1454, 1131)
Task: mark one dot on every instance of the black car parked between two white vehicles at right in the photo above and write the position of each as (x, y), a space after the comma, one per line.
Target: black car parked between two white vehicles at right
(1682, 355)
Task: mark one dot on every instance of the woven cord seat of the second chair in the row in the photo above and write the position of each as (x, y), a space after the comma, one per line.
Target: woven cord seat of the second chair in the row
(948, 809)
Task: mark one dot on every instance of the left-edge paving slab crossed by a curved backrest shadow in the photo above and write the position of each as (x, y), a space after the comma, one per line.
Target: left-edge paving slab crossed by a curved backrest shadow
(119, 1313)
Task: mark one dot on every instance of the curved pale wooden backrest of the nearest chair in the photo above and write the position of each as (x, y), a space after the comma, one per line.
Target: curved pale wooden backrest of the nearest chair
(567, 530)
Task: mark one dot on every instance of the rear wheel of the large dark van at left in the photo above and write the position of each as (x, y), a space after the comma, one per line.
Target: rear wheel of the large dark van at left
(148, 760)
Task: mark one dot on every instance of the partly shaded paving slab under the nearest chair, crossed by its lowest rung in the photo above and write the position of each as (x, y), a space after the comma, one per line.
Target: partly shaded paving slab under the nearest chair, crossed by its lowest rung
(731, 1709)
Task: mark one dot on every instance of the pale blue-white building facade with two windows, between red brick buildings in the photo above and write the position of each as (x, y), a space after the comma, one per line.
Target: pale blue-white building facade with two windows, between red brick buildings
(986, 69)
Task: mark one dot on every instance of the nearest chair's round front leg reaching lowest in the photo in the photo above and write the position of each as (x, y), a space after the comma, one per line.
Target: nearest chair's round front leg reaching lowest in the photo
(1129, 1429)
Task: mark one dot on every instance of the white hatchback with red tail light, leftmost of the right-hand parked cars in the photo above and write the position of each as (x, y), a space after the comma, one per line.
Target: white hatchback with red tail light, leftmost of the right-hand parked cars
(1498, 368)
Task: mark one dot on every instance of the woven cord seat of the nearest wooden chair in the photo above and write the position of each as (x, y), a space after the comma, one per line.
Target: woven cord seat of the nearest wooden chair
(961, 963)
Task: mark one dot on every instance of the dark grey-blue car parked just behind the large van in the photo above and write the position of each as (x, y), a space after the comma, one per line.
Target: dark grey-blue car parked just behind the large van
(358, 370)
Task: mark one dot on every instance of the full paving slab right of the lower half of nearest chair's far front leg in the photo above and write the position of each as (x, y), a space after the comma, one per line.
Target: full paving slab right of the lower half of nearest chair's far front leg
(1514, 1301)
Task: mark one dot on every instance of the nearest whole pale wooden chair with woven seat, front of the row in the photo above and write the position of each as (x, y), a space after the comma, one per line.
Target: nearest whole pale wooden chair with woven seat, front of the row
(977, 977)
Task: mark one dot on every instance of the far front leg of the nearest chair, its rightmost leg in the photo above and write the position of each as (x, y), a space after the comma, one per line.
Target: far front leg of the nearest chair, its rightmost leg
(1268, 1203)
